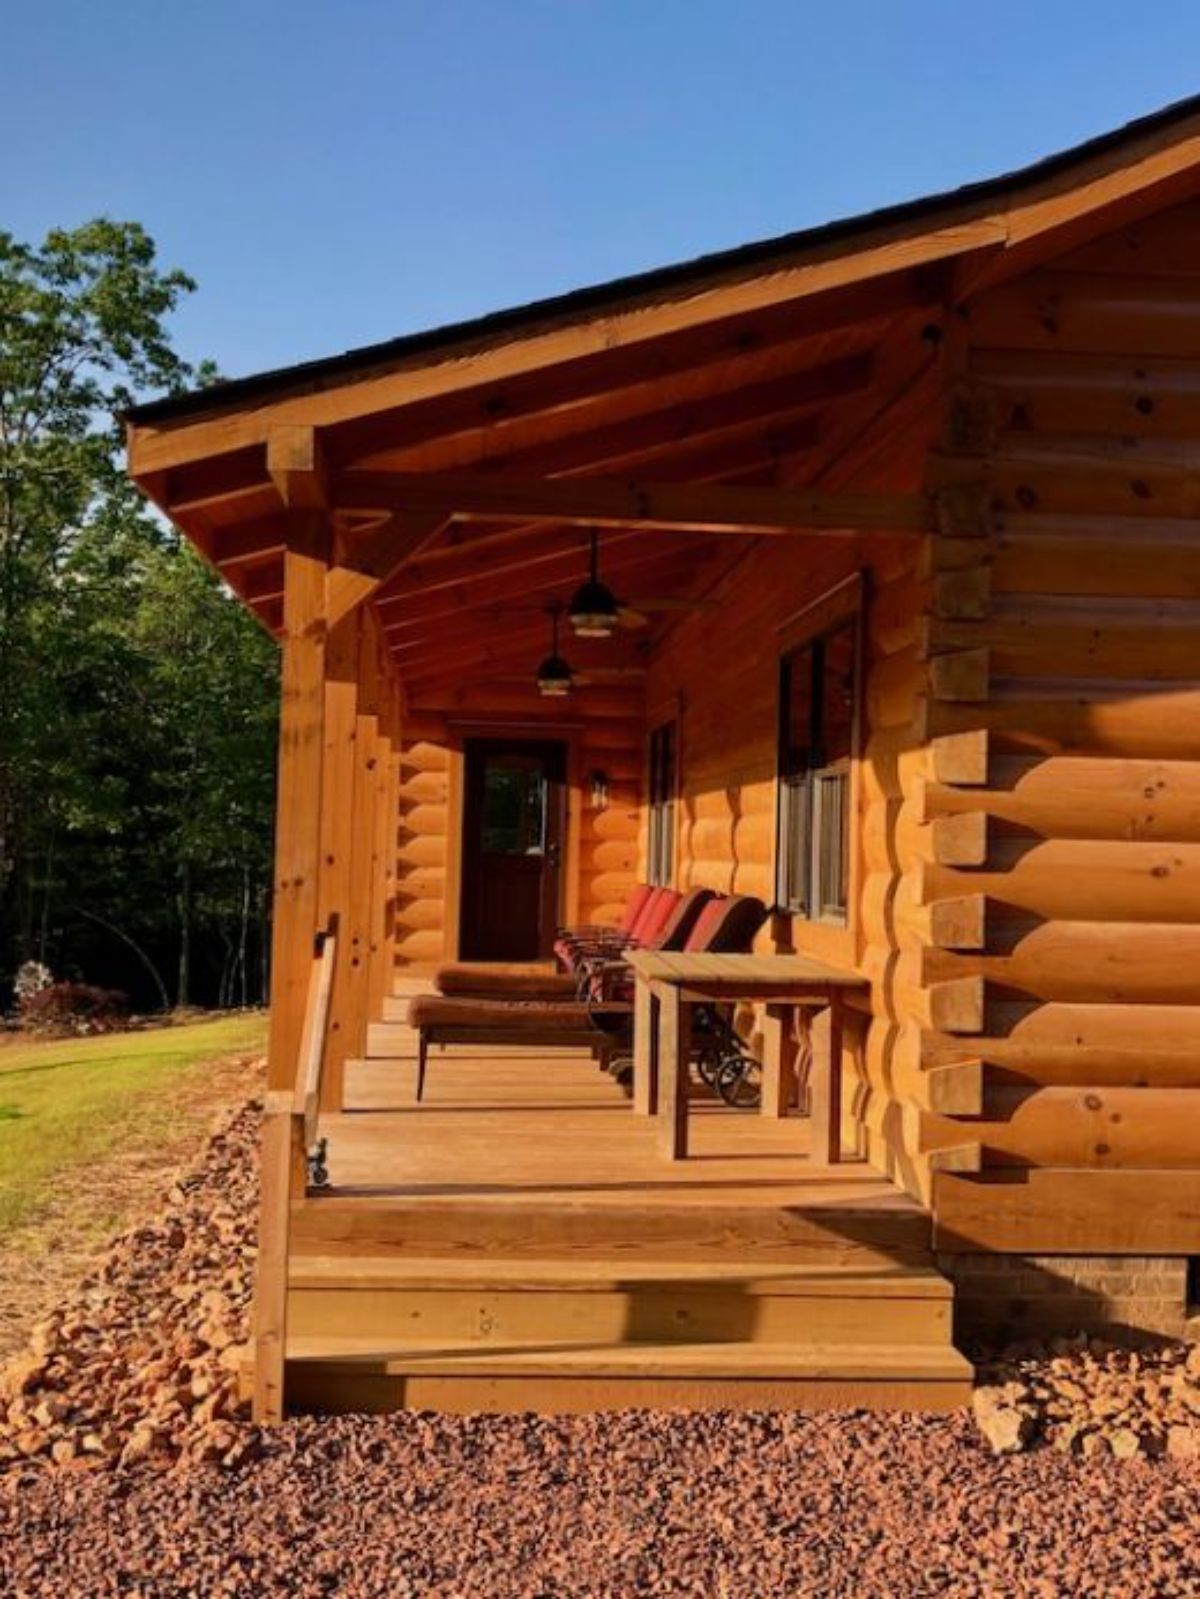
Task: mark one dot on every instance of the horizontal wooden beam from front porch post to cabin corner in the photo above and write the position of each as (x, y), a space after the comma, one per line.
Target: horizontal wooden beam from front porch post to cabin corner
(618, 503)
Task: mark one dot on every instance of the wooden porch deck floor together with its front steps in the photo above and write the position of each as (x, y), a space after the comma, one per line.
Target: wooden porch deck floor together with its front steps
(516, 1243)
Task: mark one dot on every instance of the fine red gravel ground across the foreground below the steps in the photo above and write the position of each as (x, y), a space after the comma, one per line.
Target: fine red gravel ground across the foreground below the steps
(618, 1507)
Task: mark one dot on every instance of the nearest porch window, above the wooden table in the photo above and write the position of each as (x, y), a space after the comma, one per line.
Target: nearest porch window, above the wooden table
(818, 708)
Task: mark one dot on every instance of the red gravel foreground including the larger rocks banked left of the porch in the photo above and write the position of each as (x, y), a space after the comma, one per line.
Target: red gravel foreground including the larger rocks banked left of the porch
(126, 1470)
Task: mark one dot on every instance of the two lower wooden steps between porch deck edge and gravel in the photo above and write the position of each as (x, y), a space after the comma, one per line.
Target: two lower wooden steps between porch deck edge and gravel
(577, 1333)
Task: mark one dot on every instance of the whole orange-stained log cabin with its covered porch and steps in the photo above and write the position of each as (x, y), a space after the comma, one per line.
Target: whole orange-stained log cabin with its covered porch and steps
(900, 519)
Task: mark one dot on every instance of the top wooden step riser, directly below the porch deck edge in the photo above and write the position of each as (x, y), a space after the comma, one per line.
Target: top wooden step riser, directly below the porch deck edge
(521, 1229)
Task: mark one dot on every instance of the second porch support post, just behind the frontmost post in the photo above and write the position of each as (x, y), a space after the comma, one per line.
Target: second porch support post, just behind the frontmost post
(337, 837)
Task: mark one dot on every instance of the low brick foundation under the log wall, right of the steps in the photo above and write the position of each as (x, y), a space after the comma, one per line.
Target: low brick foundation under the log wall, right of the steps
(1007, 1298)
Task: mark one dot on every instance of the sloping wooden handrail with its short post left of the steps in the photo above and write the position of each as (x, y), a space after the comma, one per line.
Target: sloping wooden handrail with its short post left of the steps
(289, 1133)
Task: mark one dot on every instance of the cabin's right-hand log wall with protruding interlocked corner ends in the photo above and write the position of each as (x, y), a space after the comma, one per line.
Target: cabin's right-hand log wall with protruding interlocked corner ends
(1079, 418)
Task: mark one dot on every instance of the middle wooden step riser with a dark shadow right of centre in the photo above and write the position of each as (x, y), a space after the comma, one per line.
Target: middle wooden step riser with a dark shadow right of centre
(686, 1315)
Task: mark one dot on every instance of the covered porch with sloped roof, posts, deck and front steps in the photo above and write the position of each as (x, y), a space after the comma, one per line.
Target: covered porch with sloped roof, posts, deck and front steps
(740, 469)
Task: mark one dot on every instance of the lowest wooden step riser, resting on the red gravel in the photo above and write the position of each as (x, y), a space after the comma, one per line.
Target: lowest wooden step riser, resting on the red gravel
(335, 1389)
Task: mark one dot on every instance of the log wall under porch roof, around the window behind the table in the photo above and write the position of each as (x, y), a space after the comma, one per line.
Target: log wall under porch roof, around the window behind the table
(721, 669)
